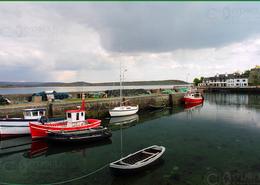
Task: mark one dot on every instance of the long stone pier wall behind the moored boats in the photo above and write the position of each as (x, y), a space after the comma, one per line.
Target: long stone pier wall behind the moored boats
(96, 108)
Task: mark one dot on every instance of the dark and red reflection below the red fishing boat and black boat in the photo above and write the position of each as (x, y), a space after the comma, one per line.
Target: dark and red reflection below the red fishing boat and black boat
(44, 148)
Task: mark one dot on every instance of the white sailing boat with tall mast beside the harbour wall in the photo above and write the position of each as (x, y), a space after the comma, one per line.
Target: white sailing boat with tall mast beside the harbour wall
(123, 110)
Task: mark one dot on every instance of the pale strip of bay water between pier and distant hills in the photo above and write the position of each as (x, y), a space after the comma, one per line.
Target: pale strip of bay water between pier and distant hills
(30, 90)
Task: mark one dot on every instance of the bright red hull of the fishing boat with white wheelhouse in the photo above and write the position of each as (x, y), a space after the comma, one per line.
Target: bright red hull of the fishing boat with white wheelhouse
(41, 131)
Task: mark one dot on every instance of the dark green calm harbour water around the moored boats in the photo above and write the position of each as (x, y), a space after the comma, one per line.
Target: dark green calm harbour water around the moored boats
(216, 143)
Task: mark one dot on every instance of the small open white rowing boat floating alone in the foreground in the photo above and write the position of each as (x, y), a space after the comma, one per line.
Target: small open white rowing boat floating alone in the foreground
(138, 160)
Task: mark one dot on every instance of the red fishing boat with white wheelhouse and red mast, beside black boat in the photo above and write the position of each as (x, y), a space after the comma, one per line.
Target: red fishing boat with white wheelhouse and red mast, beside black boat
(75, 121)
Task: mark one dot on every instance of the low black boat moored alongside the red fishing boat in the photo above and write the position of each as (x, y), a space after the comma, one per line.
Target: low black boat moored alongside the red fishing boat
(87, 135)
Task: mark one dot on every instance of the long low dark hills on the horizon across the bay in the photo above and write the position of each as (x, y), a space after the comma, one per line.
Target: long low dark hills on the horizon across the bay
(62, 84)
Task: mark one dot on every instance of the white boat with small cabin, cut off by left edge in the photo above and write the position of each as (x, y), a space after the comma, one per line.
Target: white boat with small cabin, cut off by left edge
(10, 127)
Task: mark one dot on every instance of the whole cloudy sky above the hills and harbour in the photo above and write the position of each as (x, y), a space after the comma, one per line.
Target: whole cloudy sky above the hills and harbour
(86, 41)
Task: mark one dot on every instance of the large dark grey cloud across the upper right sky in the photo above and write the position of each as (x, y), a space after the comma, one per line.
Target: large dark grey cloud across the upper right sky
(154, 27)
